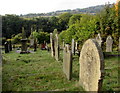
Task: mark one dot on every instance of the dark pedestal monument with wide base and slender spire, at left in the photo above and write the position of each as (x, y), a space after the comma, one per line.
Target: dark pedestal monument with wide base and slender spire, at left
(24, 42)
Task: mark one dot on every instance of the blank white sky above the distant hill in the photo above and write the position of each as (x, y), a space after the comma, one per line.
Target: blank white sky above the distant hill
(43, 6)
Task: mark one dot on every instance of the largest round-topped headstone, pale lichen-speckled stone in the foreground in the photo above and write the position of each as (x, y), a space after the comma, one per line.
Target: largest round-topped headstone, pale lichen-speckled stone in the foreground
(91, 66)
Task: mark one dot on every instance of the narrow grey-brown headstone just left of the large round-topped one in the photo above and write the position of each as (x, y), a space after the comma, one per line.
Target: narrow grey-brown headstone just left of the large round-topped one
(67, 61)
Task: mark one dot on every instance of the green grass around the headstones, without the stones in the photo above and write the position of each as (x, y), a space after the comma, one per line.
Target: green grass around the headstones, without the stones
(40, 72)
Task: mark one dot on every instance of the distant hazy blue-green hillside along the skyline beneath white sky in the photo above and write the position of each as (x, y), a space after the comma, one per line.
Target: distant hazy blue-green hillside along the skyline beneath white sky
(91, 10)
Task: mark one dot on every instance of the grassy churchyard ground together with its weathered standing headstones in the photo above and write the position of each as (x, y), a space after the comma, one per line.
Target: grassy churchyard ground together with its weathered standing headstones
(61, 69)
